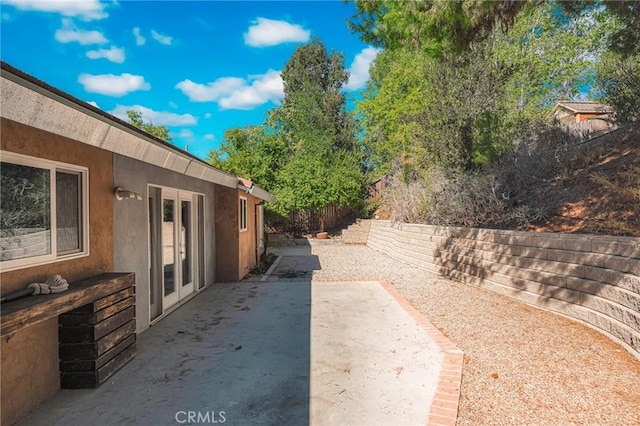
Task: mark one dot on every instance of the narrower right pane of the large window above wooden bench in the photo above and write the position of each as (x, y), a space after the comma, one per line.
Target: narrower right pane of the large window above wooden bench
(68, 212)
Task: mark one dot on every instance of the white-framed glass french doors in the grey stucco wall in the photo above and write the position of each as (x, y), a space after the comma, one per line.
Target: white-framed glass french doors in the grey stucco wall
(175, 245)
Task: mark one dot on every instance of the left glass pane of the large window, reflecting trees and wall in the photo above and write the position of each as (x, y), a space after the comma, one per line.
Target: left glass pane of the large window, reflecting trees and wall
(25, 208)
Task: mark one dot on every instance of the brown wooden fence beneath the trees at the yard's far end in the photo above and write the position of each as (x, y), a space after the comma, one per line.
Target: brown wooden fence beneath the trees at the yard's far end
(307, 222)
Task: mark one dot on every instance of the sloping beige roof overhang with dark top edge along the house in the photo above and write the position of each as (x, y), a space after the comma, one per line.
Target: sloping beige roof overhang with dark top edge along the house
(35, 103)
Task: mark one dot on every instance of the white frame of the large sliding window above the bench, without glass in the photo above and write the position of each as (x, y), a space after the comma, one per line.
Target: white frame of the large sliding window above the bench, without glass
(53, 167)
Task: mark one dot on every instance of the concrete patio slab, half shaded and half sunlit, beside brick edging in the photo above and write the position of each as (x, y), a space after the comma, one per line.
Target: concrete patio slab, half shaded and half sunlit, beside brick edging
(291, 352)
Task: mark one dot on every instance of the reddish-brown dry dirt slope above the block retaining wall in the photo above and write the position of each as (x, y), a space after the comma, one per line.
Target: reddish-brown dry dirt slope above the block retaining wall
(600, 193)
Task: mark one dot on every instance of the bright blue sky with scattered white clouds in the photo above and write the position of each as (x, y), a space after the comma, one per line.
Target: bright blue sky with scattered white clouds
(198, 67)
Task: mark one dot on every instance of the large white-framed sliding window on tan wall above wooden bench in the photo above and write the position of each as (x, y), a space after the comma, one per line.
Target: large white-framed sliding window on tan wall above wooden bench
(43, 211)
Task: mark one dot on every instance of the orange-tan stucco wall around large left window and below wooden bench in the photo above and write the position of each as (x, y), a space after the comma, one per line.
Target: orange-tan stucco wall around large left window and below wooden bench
(29, 370)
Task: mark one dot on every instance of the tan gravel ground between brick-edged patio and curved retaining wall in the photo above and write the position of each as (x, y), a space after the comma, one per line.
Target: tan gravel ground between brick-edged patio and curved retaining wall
(522, 365)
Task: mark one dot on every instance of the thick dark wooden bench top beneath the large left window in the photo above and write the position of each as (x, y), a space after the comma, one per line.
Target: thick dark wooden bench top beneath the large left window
(30, 310)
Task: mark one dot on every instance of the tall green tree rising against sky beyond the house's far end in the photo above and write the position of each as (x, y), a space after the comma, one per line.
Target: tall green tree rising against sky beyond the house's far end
(325, 166)
